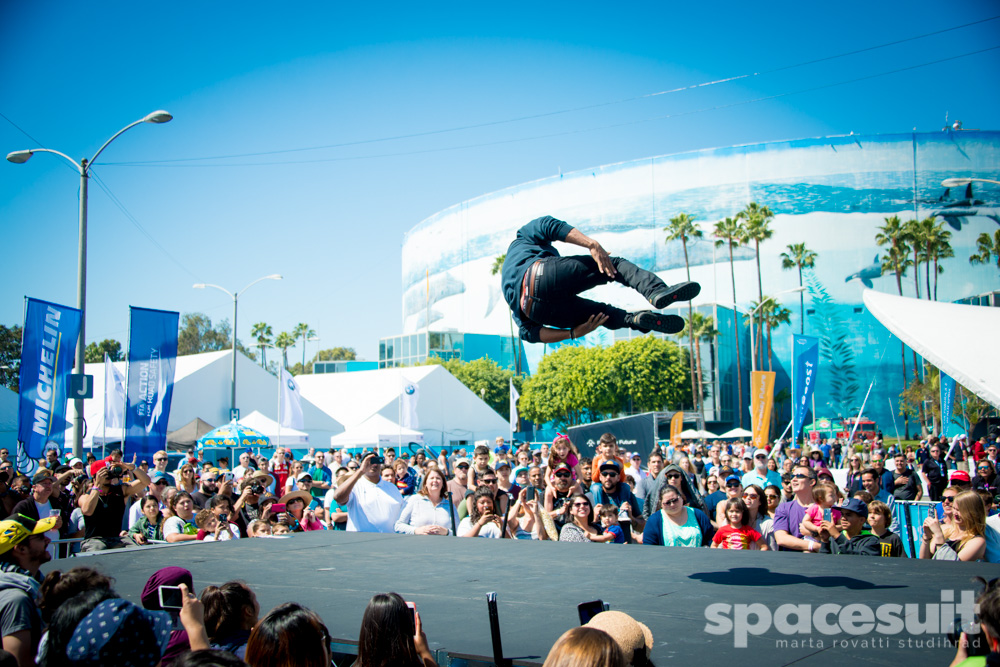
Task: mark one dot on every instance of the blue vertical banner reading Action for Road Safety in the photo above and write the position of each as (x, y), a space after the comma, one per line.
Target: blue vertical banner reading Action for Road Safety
(149, 385)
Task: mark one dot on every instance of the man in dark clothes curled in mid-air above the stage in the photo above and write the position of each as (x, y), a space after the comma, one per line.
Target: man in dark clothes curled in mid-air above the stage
(543, 289)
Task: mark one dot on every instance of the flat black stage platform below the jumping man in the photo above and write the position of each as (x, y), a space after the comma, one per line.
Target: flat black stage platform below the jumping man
(539, 585)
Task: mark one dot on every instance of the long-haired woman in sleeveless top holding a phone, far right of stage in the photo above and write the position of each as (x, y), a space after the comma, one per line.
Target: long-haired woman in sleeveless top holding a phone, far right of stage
(965, 538)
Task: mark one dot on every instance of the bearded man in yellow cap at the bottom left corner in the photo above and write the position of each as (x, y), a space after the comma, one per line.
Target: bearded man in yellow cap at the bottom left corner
(23, 550)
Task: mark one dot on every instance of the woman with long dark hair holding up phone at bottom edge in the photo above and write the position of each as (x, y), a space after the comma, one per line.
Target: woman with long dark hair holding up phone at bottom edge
(392, 635)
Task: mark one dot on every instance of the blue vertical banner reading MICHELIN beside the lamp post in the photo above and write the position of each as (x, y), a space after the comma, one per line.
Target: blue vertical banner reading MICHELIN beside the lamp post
(47, 347)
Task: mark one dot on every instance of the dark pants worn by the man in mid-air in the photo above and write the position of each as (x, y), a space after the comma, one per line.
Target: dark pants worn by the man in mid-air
(557, 302)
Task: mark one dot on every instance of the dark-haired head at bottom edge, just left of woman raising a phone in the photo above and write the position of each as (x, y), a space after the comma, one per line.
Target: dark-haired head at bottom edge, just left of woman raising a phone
(289, 634)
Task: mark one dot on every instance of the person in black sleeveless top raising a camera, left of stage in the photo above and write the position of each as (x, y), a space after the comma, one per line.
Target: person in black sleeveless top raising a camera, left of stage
(104, 505)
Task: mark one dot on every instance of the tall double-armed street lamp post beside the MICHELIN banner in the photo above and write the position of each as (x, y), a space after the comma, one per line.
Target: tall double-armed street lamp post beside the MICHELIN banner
(20, 157)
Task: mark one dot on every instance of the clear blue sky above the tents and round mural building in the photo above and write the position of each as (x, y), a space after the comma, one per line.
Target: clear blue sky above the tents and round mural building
(268, 78)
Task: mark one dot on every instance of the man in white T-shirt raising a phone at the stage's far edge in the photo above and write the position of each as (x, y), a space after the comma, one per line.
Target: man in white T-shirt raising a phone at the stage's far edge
(373, 504)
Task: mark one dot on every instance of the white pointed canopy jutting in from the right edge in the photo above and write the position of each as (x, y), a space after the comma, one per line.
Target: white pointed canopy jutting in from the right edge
(960, 340)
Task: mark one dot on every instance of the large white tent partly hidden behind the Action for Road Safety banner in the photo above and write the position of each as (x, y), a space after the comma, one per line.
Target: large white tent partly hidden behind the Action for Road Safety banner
(202, 386)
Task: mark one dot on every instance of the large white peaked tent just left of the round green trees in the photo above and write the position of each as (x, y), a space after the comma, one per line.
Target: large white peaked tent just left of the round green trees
(448, 413)
